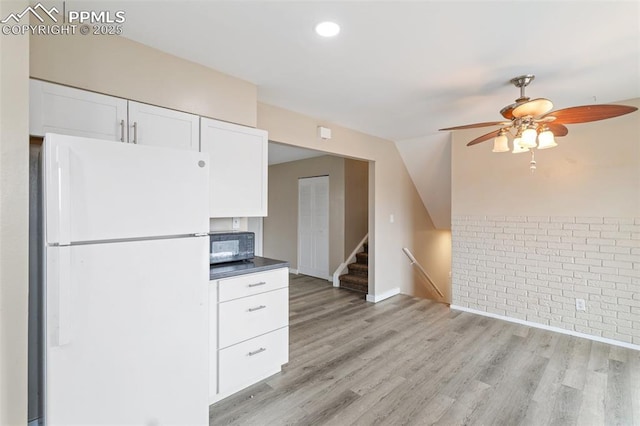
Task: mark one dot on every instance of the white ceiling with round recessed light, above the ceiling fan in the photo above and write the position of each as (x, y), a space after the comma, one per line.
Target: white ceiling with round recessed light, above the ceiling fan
(403, 69)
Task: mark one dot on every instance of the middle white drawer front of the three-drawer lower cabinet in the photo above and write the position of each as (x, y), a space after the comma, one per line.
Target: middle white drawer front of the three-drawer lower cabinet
(245, 318)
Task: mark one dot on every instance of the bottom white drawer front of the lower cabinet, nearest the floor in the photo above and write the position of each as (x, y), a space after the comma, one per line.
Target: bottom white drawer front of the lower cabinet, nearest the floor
(248, 362)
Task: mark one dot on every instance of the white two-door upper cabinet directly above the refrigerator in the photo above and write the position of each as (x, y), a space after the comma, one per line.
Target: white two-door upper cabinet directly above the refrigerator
(75, 112)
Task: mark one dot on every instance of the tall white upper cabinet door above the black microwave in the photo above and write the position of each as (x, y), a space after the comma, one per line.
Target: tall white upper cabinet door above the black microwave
(238, 172)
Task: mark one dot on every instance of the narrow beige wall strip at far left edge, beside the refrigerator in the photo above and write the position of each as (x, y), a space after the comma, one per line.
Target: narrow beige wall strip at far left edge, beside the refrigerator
(14, 214)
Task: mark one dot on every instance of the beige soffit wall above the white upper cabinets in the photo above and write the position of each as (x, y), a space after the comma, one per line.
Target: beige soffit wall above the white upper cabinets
(120, 67)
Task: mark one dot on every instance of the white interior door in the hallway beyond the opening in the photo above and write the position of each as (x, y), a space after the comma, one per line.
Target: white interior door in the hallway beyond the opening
(313, 226)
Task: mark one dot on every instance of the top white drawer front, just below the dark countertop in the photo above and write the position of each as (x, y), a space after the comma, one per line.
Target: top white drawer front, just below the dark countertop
(250, 284)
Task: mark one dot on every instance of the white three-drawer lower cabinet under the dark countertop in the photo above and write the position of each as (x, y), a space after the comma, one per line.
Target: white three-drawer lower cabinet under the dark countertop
(249, 332)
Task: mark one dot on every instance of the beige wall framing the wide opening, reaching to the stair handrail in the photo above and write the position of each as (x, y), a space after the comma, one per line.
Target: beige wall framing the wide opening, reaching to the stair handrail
(391, 192)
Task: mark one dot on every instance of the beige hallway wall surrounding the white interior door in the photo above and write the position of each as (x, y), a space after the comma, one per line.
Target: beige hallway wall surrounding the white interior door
(280, 227)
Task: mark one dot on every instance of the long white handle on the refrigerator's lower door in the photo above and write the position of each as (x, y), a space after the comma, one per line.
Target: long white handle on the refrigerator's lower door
(59, 287)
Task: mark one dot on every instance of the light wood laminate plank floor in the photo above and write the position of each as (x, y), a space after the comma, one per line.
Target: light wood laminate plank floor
(416, 362)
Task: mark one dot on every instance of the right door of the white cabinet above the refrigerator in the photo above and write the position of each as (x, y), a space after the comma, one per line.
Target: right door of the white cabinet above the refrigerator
(152, 125)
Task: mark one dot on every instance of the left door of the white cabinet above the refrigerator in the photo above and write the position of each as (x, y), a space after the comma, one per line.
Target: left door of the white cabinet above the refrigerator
(60, 109)
